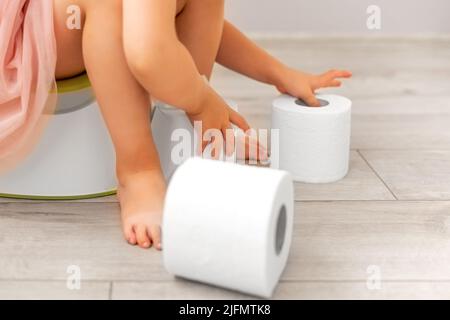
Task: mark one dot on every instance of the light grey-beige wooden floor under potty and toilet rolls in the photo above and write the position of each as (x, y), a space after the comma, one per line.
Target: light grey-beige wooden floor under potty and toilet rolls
(389, 218)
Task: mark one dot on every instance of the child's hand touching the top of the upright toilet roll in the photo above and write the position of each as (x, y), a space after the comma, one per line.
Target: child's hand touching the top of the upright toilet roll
(303, 85)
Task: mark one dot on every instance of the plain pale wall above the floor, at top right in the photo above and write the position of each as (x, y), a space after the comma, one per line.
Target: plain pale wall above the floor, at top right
(339, 16)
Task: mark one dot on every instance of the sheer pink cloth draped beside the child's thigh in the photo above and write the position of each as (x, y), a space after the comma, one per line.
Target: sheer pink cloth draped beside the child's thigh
(27, 74)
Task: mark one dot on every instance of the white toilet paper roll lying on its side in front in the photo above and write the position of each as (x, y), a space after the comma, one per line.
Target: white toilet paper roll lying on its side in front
(228, 225)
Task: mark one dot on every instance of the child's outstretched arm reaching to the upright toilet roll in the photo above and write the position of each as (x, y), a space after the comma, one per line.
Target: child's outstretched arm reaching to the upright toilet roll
(240, 54)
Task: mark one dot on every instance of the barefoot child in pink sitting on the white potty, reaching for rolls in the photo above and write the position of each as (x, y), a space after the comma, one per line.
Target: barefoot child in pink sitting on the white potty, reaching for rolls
(138, 50)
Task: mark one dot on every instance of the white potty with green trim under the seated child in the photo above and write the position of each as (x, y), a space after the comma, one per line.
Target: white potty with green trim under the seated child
(74, 159)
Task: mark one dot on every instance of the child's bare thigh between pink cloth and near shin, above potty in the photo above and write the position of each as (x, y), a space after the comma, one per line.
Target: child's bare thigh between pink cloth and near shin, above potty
(69, 39)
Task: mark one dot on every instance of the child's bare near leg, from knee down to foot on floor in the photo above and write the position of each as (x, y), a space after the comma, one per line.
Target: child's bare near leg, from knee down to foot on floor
(125, 107)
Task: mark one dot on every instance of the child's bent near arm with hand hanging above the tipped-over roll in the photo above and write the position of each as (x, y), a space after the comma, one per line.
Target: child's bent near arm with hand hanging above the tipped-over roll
(164, 67)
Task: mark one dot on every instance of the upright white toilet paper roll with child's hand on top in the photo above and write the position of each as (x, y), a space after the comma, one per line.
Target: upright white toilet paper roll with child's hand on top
(314, 142)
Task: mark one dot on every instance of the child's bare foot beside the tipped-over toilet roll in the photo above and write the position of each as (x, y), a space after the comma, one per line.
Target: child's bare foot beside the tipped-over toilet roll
(141, 196)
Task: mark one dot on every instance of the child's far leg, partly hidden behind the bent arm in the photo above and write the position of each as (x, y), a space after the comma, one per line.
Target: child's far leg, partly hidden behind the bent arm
(199, 28)
